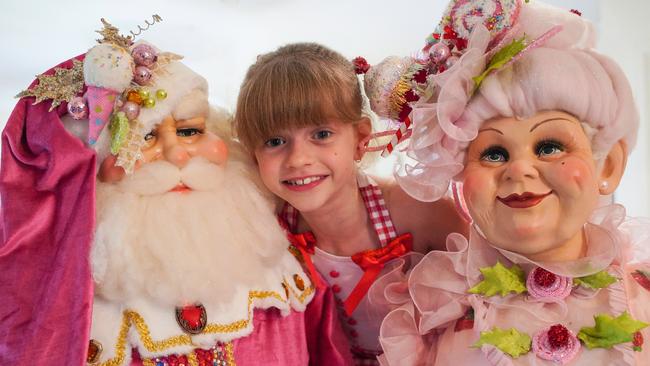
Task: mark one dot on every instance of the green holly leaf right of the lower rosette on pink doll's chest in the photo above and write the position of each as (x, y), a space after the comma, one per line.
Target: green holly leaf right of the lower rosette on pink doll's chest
(610, 331)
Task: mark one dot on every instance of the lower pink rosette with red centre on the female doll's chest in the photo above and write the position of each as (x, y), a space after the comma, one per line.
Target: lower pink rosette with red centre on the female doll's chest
(557, 344)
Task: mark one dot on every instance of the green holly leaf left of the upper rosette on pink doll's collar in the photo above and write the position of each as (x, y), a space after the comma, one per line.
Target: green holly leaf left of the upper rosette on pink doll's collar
(501, 280)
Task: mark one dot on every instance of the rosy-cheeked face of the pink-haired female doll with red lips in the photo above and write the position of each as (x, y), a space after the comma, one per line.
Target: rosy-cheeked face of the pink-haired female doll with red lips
(531, 184)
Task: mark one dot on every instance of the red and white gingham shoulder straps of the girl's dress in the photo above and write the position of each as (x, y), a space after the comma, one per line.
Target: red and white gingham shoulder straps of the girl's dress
(375, 205)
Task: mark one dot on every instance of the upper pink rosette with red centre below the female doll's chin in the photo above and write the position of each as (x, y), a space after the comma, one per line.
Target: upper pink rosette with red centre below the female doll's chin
(545, 286)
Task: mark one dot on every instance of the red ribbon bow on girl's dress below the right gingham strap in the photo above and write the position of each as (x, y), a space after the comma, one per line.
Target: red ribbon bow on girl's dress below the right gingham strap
(372, 262)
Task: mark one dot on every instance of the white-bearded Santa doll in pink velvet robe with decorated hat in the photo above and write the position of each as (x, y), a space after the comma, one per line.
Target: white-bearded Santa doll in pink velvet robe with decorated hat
(133, 231)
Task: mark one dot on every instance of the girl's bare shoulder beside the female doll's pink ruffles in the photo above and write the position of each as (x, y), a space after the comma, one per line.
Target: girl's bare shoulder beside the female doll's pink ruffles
(428, 222)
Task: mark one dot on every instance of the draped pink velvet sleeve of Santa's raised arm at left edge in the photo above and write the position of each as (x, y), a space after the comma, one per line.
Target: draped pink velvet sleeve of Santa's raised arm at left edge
(47, 216)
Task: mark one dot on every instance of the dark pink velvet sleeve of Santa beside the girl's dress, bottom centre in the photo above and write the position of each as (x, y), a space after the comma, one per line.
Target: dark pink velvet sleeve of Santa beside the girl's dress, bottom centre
(326, 341)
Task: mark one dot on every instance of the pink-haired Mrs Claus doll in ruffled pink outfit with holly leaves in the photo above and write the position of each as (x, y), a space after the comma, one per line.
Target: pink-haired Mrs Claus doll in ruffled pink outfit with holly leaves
(546, 276)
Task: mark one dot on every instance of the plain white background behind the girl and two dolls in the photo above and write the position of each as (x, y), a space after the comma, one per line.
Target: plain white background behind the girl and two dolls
(220, 39)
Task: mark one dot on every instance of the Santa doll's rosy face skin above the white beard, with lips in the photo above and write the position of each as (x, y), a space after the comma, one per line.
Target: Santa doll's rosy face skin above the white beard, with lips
(174, 141)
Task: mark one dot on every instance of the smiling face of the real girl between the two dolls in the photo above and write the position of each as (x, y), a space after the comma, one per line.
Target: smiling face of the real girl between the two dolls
(310, 166)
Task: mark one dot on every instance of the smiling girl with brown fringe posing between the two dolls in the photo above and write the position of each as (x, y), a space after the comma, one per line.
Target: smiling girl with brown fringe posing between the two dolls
(300, 113)
